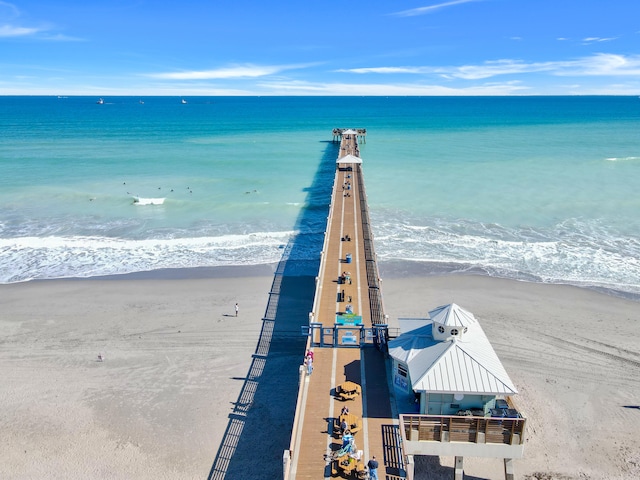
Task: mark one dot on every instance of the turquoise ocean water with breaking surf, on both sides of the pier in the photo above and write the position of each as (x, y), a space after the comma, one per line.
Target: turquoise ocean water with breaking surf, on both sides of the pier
(537, 188)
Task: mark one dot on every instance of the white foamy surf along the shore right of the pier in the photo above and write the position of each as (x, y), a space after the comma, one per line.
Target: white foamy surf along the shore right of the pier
(586, 254)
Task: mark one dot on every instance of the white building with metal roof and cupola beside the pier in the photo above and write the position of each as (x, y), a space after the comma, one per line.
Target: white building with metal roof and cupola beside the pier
(465, 393)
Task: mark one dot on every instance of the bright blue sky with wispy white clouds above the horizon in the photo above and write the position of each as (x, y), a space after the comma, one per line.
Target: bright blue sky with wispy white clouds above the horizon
(353, 47)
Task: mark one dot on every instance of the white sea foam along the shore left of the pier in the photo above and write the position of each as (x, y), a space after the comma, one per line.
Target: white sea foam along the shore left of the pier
(64, 257)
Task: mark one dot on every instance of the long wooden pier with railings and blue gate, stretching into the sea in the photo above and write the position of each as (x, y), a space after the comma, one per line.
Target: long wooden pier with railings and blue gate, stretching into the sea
(347, 334)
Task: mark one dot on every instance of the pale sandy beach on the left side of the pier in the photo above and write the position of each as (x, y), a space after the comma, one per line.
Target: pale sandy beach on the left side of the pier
(176, 360)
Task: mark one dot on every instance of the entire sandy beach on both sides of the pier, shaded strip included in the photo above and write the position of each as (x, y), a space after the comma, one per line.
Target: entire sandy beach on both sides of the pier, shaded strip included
(188, 391)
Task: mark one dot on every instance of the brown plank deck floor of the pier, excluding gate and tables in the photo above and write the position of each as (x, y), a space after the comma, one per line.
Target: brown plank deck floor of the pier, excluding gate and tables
(318, 408)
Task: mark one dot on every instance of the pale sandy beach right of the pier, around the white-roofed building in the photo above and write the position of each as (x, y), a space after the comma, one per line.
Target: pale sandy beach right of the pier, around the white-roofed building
(575, 359)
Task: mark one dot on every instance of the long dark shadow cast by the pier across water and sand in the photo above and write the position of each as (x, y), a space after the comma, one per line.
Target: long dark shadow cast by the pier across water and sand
(259, 428)
